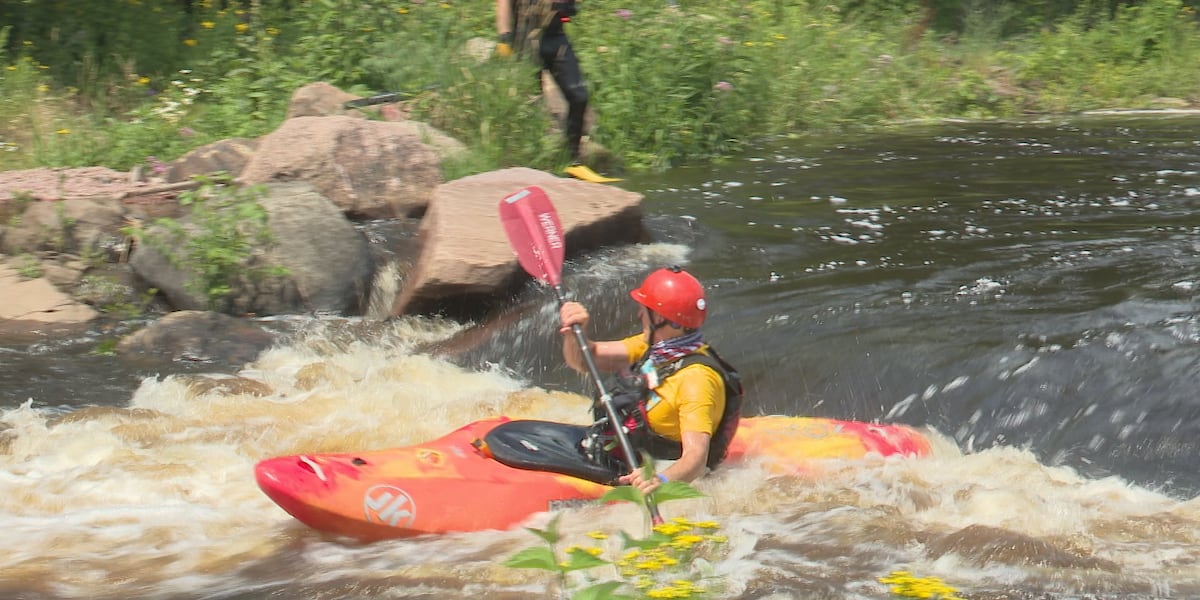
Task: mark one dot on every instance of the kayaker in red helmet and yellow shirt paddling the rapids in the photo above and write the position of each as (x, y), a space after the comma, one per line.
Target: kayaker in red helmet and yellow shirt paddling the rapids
(686, 400)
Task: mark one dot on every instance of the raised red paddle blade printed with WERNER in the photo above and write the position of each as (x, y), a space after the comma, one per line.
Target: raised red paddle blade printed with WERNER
(536, 233)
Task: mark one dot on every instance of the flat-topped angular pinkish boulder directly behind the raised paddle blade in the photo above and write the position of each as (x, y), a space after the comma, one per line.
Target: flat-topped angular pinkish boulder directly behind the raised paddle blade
(465, 262)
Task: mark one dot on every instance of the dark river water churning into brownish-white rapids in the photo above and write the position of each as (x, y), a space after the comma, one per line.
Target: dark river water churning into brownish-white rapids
(1028, 292)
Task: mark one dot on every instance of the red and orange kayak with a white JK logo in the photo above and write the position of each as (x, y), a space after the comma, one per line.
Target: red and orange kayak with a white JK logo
(496, 473)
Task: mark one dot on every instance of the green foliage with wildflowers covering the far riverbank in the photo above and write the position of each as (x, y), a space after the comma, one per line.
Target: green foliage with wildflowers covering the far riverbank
(119, 82)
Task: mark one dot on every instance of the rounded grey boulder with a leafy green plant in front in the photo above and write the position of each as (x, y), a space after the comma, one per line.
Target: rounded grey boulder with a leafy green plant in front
(328, 266)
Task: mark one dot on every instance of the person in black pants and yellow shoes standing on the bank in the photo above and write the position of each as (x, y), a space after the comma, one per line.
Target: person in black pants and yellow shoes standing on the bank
(535, 29)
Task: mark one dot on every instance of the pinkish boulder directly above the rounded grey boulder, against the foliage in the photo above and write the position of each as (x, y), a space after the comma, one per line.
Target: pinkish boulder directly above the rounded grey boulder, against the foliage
(373, 170)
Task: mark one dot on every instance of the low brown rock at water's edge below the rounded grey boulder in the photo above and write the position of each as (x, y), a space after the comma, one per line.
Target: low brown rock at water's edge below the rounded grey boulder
(200, 338)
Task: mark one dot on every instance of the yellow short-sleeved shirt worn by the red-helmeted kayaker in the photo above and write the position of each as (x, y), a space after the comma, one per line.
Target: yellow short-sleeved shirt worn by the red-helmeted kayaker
(691, 400)
